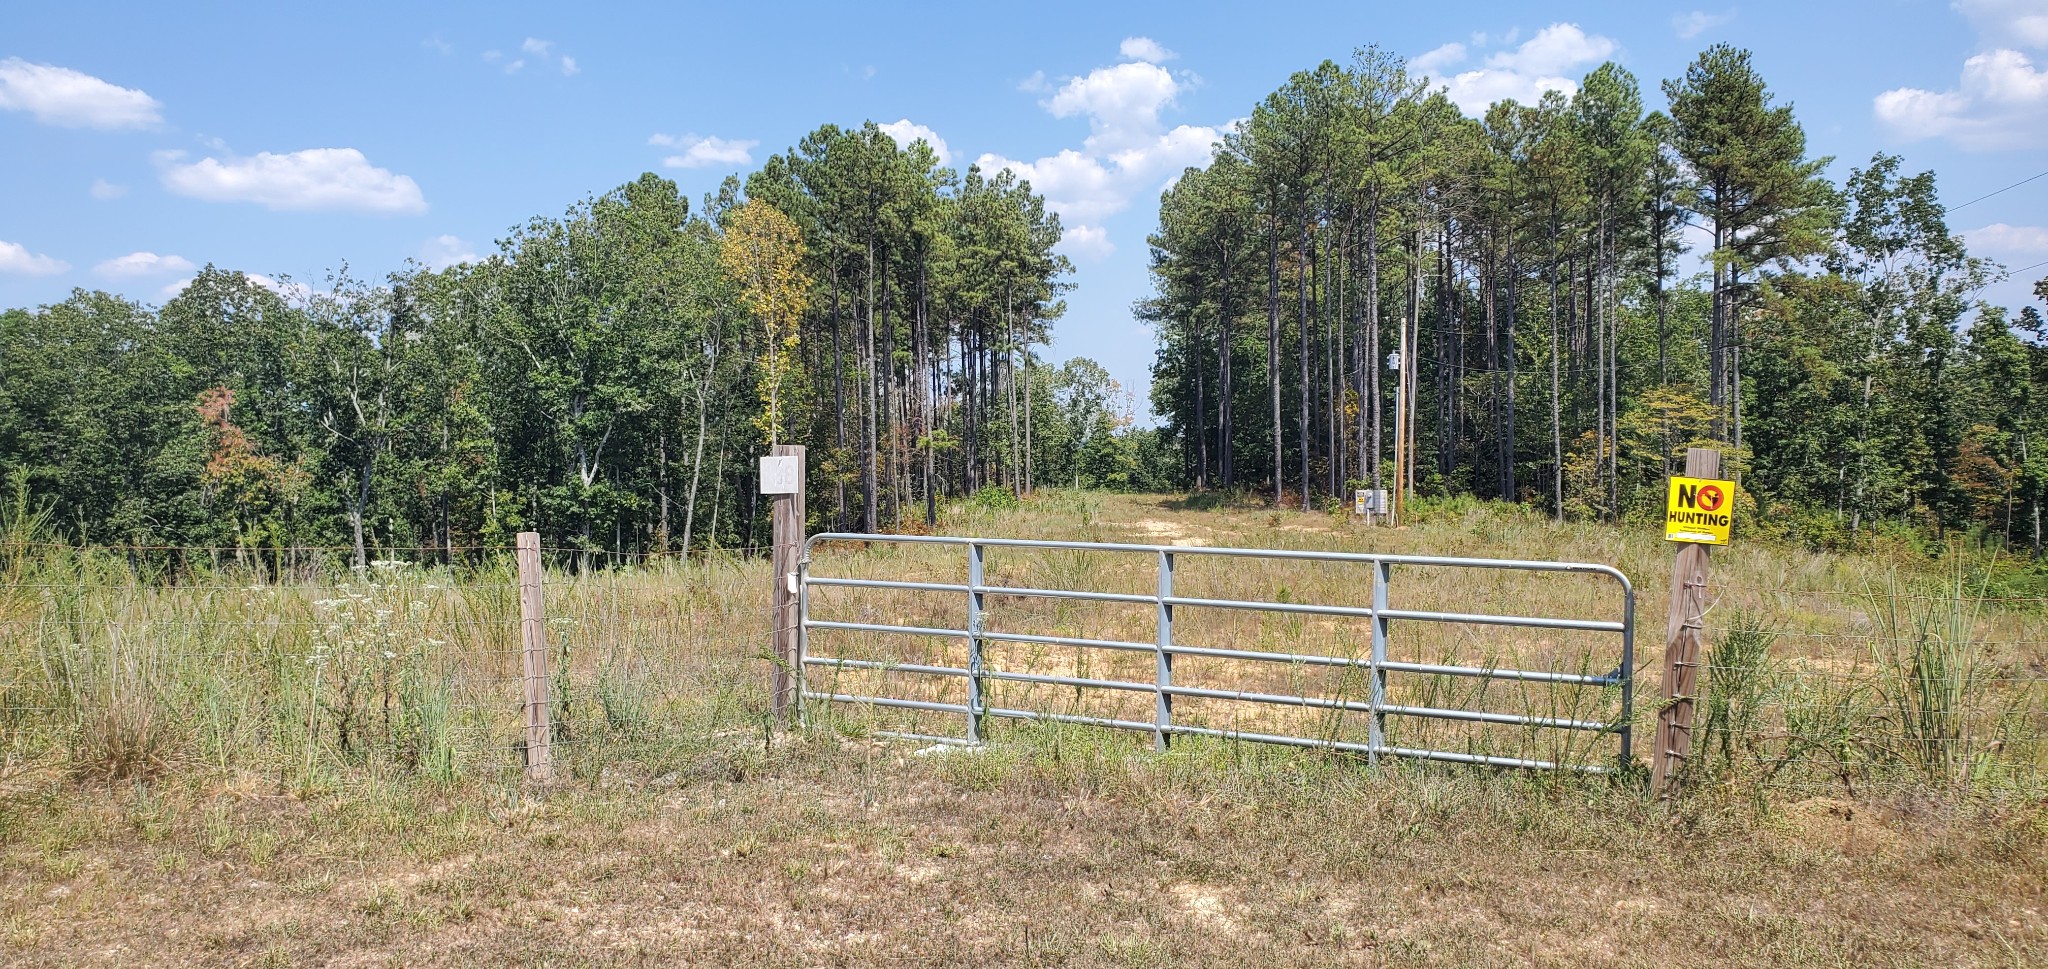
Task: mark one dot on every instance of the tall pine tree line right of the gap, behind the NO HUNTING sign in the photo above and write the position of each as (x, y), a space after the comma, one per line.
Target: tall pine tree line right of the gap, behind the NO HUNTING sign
(1549, 304)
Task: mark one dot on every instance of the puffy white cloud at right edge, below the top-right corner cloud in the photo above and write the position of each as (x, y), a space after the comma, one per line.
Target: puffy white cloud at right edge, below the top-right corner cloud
(2002, 101)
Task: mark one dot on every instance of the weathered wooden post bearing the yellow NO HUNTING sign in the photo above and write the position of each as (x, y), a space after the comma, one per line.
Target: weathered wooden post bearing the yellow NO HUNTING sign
(1699, 511)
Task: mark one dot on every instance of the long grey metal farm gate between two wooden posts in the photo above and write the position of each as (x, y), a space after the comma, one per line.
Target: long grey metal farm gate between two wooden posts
(1367, 718)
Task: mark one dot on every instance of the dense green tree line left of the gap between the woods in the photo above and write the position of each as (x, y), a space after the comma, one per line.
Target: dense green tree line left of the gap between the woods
(605, 376)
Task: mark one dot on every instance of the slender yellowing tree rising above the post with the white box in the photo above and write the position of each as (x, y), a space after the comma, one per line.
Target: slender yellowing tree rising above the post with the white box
(763, 255)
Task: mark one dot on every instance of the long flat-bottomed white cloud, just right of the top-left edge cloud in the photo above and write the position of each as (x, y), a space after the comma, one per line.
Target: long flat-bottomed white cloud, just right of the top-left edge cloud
(316, 179)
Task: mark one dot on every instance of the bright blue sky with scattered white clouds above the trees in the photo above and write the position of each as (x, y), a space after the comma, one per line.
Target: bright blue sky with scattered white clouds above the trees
(142, 140)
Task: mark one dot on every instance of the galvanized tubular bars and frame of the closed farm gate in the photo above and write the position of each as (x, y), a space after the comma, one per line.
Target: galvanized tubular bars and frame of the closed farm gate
(1166, 648)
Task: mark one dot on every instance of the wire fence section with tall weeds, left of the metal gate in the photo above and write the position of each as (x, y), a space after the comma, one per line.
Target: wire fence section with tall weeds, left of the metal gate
(126, 665)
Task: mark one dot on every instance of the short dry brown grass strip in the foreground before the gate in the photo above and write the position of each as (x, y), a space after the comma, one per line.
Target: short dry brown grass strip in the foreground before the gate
(863, 855)
